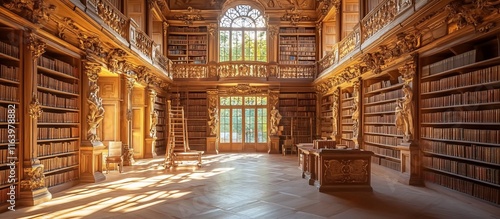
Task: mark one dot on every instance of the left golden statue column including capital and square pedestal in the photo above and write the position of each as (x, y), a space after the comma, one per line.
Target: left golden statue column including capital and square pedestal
(91, 150)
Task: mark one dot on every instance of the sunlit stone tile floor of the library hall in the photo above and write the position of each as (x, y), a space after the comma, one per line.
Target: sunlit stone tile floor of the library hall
(247, 185)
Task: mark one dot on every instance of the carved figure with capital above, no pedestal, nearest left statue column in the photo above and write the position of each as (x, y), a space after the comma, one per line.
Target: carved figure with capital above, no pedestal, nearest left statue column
(96, 110)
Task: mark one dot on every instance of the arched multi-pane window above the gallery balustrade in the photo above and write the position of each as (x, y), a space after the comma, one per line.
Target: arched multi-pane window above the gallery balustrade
(242, 35)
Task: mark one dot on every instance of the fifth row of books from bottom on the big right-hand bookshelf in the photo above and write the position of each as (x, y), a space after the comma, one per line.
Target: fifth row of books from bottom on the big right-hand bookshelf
(477, 116)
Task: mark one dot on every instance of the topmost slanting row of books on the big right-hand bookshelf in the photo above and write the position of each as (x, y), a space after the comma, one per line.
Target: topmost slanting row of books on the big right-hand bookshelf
(450, 63)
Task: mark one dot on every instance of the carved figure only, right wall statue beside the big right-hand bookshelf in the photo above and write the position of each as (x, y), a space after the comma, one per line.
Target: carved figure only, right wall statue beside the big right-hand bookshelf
(404, 113)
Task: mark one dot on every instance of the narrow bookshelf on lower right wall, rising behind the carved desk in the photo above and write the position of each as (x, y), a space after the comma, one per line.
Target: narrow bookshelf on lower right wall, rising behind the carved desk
(346, 122)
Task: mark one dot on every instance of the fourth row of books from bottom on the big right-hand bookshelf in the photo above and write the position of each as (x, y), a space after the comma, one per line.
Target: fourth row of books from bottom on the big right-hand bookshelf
(462, 134)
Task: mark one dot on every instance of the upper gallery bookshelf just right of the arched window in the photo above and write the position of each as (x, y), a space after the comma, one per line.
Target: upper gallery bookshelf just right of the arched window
(297, 45)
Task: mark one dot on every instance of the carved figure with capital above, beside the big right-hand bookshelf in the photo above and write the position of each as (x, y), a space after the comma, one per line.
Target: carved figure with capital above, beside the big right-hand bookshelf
(405, 110)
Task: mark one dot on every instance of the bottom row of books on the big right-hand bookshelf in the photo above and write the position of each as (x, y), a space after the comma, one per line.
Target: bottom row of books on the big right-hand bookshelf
(488, 193)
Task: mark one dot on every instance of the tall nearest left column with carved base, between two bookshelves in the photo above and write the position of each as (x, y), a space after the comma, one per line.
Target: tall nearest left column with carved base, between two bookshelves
(33, 189)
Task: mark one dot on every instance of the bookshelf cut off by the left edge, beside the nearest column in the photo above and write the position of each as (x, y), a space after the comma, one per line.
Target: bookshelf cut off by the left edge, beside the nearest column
(10, 115)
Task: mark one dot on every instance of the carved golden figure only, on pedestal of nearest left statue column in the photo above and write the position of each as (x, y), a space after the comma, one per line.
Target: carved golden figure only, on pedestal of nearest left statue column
(96, 113)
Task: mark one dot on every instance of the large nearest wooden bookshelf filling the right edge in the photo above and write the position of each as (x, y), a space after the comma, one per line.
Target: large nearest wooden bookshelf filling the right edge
(459, 122)
